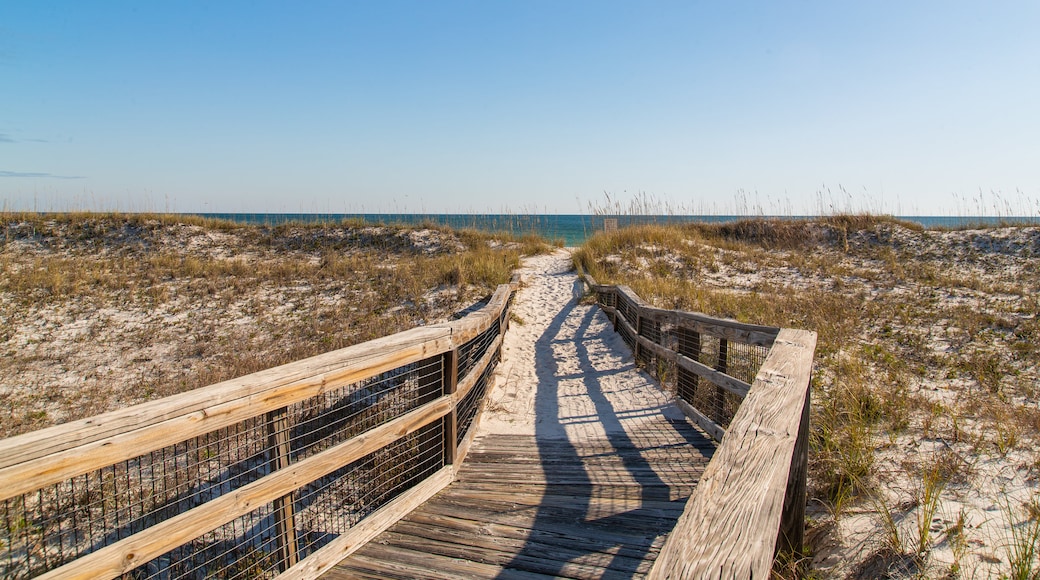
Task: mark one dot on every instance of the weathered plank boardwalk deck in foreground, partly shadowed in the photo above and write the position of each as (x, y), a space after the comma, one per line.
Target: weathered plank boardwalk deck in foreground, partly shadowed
(528, 508)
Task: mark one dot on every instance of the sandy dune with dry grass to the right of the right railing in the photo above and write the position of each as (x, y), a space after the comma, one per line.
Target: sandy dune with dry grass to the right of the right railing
(929, 350)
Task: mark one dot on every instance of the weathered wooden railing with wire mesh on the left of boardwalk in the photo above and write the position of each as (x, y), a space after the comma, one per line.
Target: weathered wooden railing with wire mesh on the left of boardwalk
(282, 471)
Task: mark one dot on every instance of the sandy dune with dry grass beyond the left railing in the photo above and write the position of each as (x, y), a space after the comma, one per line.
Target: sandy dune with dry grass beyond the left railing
(101, 311)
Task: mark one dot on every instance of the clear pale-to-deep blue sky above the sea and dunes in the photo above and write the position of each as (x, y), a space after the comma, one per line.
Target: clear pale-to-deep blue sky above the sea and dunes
(528, 107)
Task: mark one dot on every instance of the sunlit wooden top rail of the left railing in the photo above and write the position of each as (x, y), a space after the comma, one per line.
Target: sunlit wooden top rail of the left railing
(32, 461)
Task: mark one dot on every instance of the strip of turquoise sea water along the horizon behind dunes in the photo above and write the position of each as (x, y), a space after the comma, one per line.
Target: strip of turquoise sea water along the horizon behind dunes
(573, 229)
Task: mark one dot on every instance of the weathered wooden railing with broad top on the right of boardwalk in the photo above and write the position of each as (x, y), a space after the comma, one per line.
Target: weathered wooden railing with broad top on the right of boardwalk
(748, 387)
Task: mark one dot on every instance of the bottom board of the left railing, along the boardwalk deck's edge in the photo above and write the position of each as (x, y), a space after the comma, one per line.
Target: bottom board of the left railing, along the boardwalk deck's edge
(377, 523)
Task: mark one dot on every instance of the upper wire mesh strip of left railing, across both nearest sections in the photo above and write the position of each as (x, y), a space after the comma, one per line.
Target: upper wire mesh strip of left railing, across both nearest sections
(53, 526)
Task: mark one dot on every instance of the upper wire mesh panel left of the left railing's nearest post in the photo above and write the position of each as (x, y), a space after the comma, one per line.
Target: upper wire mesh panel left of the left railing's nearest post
(55, 525)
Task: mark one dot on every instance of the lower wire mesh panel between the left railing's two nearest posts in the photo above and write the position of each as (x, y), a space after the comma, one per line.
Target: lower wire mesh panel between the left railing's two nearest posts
(333, 505)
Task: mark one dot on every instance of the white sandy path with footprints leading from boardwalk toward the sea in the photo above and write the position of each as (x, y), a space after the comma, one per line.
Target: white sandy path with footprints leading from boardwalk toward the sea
(565, 373)
